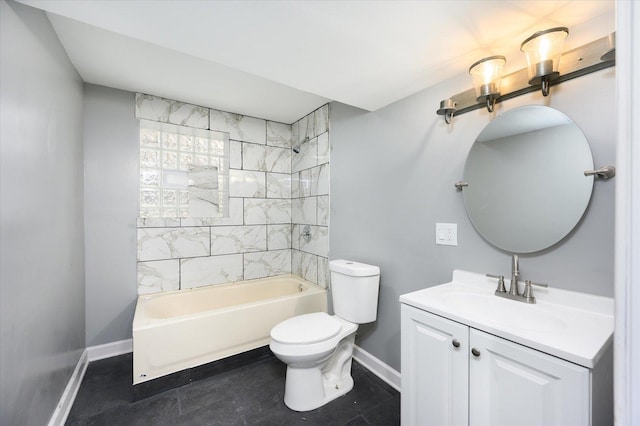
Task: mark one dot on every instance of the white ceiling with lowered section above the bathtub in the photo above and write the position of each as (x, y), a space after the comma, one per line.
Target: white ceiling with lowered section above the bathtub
(281, 59)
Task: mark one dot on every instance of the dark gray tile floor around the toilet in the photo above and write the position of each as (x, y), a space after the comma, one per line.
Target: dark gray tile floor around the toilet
(250, 395)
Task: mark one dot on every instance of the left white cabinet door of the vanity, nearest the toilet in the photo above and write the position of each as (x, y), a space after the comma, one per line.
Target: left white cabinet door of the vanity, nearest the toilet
(435, 369)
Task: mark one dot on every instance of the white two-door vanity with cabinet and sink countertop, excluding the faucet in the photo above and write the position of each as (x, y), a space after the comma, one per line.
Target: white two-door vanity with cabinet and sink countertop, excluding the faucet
(471, 358)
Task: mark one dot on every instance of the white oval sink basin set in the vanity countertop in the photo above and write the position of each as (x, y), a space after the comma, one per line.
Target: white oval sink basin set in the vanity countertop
(495, 310)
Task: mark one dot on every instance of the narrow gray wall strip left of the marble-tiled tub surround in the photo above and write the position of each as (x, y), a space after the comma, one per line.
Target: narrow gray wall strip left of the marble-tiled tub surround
(111, 207)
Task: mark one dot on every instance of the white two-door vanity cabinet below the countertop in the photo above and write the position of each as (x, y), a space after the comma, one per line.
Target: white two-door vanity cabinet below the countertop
(453, 374)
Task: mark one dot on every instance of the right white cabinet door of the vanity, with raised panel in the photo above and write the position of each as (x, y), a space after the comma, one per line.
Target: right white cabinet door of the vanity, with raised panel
(515, 385)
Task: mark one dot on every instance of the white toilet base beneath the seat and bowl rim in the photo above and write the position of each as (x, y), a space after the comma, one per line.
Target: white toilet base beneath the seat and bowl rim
(310, 388)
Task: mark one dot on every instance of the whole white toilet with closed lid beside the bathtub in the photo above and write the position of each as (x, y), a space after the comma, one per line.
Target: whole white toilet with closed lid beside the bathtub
(318, 347)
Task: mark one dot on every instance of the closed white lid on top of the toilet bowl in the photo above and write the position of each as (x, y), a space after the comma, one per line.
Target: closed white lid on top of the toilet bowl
(305, 329)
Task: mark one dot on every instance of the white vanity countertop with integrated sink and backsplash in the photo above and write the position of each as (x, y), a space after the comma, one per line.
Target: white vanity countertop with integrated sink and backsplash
(573, 326)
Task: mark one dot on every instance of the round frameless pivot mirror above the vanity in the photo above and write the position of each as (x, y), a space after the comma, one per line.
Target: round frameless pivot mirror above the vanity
(526, 184)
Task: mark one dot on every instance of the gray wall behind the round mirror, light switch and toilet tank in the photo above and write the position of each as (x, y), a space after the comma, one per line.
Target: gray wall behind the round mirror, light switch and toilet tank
(392, 176)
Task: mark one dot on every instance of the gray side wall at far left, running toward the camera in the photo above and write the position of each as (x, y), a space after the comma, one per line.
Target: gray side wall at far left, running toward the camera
(42, 261)
